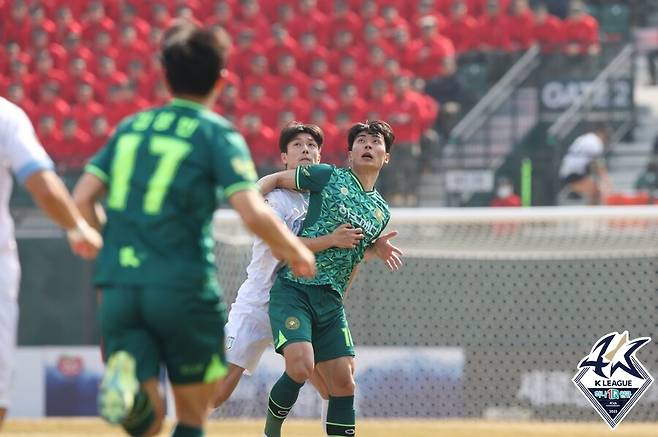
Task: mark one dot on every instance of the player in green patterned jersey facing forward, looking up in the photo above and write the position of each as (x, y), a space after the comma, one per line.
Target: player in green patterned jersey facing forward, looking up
(307, 317)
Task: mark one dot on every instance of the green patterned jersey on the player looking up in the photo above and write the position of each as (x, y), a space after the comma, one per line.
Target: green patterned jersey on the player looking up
(337, 197)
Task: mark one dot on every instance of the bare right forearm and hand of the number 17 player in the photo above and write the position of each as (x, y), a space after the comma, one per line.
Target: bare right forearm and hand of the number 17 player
(260, 220)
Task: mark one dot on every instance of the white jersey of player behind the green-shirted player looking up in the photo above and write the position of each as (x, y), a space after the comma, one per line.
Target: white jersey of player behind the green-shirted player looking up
(290, 206)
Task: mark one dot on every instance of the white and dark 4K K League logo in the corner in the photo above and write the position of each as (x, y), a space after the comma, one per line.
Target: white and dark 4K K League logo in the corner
(612, 378)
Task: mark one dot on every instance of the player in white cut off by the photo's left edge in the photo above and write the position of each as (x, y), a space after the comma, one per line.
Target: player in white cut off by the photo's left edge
(21, 154)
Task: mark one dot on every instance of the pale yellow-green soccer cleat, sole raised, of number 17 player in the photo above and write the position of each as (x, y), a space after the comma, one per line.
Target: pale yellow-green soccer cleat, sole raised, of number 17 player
(118, 389)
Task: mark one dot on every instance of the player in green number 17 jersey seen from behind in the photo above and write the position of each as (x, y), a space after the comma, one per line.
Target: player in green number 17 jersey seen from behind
(160, 301)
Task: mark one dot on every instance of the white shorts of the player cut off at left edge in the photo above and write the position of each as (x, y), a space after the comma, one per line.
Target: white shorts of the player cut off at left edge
(9, 280)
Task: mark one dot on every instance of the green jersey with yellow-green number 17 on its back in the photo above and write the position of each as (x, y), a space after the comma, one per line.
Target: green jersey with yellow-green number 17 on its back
(162, 168)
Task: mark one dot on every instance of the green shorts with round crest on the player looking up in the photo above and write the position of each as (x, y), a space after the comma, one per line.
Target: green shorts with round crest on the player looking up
(309, 313)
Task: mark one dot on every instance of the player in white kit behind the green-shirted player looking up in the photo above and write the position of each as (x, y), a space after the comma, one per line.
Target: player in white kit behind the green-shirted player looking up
(248, 331)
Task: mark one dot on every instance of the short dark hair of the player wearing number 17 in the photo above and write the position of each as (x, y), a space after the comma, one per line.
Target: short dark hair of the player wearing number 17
(193, 57)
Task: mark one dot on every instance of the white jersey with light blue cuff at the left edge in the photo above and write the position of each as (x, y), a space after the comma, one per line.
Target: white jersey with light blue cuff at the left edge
(20, 154)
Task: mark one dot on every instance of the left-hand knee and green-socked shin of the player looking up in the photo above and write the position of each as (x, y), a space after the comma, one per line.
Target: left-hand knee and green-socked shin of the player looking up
(284, 393)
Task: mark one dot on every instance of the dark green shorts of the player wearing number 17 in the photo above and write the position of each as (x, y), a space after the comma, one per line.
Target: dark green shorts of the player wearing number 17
(180, 328)
